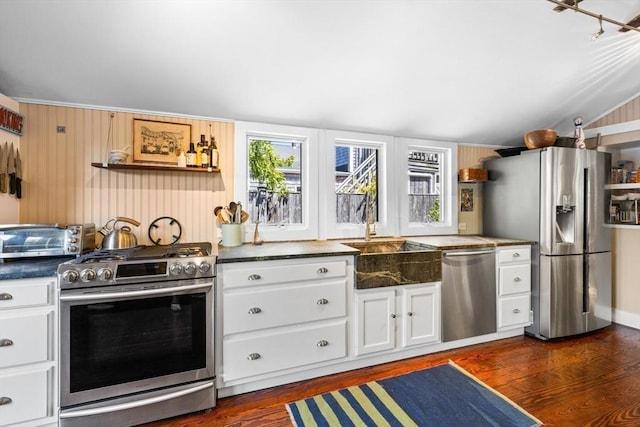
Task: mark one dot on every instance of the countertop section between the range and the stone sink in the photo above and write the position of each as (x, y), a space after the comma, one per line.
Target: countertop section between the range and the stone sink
(282, 250)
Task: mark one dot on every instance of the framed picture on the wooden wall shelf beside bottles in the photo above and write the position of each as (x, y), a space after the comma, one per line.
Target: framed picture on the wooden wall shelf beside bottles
(159, 142)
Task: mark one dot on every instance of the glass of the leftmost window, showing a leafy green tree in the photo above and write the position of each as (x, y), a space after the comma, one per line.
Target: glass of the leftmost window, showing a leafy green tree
(275, 181)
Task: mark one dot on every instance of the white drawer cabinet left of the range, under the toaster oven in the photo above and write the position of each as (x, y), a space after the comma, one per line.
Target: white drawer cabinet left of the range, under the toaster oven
(28, 348)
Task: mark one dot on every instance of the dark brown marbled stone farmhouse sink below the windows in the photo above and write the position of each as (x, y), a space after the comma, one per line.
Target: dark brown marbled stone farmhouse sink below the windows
(384, 263)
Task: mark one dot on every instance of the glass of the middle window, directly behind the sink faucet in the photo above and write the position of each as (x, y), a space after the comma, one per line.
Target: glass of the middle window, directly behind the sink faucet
(356, 172)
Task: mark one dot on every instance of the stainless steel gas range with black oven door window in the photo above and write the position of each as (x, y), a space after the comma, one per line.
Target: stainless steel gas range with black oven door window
(136, 335)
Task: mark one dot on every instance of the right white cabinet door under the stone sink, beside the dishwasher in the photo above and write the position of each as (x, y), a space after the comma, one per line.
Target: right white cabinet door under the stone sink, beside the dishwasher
(420, 315)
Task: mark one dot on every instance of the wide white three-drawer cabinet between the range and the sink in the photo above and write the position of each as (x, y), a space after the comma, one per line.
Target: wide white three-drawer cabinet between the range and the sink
(280, 316)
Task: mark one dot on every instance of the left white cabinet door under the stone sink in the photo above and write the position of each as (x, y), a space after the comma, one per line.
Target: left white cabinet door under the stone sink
(375, 321)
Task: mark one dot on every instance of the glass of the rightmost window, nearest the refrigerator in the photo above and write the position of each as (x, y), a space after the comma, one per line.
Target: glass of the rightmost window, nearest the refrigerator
(424, 186)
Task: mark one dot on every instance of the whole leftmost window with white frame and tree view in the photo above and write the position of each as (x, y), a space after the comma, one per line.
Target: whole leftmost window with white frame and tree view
(276, 180)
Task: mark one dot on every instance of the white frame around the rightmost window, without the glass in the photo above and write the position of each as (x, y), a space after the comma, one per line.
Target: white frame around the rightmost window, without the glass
(448, 186)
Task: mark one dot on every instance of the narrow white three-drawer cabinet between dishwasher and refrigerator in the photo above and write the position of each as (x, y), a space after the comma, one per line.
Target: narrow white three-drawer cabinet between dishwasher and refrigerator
(513, 272)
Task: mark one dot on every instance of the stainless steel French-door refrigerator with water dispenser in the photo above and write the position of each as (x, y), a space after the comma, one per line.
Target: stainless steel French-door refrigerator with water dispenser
(555, 197)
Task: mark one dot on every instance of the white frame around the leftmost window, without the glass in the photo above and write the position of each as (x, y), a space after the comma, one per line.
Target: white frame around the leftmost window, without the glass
(308, 229)
